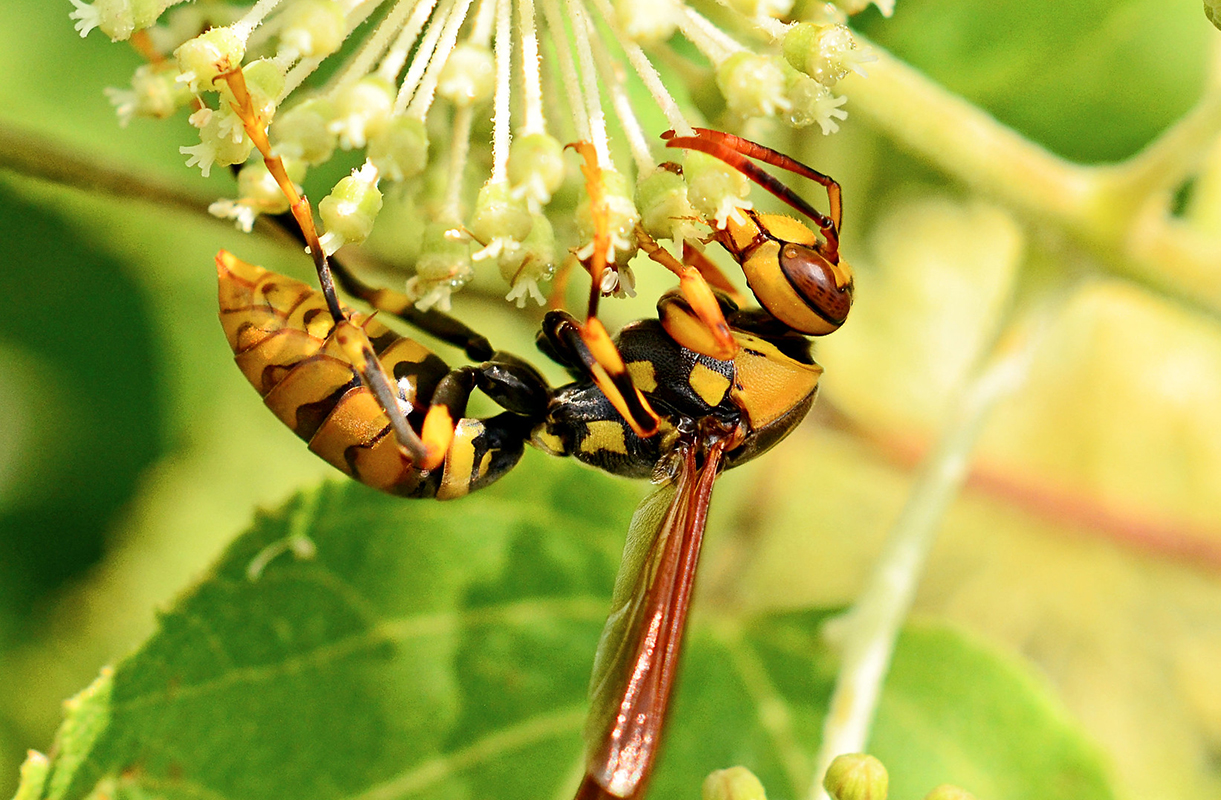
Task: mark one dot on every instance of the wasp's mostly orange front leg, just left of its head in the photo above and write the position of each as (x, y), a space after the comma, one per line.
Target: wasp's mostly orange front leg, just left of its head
(701, 327)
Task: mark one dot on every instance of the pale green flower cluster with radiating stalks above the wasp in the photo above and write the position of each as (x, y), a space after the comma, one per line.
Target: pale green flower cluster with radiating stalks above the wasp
(461, 109)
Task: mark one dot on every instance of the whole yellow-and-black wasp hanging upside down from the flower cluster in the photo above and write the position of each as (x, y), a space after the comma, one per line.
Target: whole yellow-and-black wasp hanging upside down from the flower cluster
(681, 398)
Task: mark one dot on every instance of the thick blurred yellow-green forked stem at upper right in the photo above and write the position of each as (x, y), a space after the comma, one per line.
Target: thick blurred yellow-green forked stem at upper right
(1120, 212)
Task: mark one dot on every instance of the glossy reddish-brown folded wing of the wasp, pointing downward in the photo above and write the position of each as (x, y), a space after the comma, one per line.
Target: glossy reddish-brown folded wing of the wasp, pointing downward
(639, 653)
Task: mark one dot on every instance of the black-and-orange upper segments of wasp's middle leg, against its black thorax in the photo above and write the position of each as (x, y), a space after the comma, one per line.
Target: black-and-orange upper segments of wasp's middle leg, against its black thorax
(563, 340)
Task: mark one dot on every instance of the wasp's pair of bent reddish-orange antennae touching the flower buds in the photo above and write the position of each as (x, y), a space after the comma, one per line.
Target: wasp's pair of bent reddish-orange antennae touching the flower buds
(736, 151)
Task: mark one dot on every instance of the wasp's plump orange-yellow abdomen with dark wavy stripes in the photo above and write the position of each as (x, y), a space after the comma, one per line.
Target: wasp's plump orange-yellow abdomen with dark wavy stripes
(281, 335)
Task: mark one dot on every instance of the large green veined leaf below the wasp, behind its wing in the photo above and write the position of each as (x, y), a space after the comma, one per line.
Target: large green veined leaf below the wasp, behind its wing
(422, 649)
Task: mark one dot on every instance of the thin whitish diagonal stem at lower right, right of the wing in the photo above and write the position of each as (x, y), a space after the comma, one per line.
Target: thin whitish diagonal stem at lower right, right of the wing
(869, 632)
